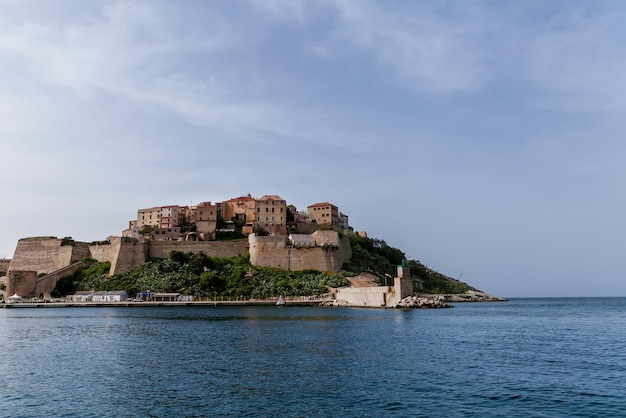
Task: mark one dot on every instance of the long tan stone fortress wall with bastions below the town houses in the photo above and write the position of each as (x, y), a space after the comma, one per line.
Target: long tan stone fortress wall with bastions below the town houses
(34, 256)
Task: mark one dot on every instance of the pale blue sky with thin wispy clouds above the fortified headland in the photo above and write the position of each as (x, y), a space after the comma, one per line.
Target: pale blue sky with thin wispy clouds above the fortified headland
(483, 138)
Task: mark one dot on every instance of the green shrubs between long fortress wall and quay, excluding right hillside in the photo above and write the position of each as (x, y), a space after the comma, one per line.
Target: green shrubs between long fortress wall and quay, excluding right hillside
(203, 276)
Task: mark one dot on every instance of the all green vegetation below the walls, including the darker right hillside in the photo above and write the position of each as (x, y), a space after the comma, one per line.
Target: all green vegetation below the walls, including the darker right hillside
(209, 277)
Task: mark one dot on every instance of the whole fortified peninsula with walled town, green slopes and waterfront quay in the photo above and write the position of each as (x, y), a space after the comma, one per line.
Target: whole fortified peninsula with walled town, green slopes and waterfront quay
(243, 249)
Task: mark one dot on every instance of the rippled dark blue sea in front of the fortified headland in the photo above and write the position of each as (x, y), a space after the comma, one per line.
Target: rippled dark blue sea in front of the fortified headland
(522, 358)
